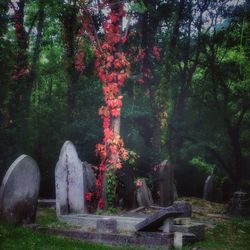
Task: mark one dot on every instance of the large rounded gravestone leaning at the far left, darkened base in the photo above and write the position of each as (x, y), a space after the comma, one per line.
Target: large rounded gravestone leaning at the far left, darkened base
(19, 191)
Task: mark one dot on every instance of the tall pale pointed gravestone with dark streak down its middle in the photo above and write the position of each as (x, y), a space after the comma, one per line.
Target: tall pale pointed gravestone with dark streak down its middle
(69, 182)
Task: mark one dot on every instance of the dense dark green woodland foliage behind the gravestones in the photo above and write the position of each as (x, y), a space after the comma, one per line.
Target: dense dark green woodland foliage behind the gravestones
(193, 109)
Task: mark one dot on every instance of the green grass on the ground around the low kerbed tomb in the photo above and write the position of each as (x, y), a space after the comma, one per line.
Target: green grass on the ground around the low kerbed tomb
(232, 234)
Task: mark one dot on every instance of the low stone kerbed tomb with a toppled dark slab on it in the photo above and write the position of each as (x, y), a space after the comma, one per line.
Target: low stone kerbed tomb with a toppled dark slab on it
(138, 230)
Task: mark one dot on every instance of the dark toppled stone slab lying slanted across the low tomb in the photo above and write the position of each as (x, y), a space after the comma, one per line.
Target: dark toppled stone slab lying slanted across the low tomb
(153, 222)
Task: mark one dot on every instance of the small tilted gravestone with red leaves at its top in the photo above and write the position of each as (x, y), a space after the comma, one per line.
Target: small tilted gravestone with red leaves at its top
(143, 194)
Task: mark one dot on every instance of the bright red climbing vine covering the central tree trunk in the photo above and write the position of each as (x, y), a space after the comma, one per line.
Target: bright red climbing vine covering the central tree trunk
(112, 68)
